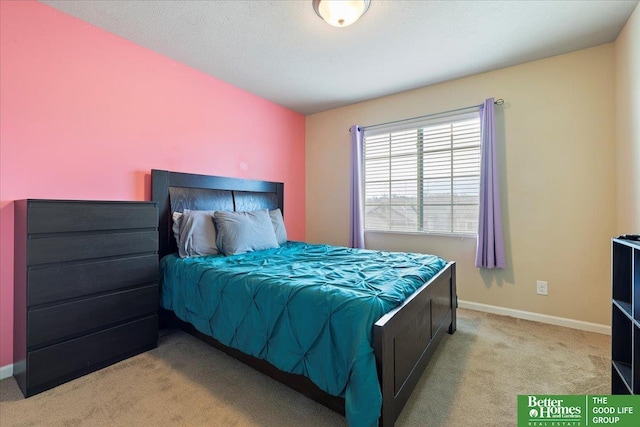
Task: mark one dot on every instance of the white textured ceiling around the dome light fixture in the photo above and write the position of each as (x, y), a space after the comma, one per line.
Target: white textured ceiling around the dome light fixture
(282, 51)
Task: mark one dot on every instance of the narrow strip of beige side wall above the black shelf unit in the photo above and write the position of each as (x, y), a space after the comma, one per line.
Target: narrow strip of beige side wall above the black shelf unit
(627, 54)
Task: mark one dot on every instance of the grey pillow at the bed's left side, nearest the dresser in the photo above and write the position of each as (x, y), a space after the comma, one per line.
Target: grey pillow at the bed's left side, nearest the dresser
(197, 234)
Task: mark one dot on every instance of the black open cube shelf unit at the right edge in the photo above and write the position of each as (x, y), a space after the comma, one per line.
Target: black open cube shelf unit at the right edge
(625, 316)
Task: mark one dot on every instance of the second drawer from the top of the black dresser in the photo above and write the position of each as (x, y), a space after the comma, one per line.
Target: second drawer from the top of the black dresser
(74, 248)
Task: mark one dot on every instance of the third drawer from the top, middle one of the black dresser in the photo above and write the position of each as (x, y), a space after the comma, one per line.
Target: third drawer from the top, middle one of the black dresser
(52, 284)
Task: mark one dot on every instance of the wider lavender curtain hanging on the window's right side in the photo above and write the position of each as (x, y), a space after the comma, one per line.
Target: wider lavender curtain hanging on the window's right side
(490, 249)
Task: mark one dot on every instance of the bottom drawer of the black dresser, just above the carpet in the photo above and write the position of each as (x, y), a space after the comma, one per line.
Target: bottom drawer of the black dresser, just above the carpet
(70, 359)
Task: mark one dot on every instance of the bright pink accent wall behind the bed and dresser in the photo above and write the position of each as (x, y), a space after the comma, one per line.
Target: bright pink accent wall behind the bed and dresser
(85, 114)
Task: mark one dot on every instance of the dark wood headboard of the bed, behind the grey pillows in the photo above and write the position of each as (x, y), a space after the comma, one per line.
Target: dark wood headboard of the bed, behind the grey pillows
(175, 191)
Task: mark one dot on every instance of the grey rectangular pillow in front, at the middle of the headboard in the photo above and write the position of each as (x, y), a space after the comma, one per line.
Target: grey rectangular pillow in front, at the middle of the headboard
(240, 232)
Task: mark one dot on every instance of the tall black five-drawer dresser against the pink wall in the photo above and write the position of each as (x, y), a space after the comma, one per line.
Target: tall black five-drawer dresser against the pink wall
(86, 287)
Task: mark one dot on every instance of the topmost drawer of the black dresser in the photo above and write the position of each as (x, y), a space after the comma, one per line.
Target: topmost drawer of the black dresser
(70, 216)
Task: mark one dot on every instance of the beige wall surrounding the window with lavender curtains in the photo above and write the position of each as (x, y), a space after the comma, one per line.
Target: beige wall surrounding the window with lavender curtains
(556, 134)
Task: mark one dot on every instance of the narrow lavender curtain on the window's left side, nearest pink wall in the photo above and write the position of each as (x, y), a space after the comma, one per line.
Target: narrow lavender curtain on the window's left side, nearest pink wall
(356, 226)
